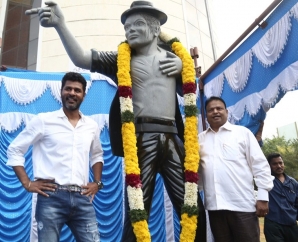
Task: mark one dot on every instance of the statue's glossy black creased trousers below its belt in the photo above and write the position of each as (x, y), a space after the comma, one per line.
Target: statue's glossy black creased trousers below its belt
(162, 153)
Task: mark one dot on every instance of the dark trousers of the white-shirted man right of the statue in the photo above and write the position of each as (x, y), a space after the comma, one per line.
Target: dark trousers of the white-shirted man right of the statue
(230, 226)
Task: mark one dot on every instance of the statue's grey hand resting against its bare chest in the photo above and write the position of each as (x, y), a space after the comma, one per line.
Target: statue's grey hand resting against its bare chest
(172, 65)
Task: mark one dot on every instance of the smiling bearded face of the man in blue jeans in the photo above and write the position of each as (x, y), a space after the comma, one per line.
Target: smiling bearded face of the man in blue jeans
(72, 95)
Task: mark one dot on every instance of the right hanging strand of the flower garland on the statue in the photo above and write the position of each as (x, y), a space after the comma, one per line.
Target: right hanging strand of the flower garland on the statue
(191, 163)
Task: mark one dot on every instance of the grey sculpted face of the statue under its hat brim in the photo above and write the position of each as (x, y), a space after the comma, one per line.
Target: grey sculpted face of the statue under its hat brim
(137, 31)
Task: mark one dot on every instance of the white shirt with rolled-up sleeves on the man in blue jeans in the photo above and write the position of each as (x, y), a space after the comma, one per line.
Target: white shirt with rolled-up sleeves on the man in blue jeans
(60, 151)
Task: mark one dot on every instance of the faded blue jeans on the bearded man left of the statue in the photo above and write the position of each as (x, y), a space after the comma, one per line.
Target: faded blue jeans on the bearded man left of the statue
(64, 207)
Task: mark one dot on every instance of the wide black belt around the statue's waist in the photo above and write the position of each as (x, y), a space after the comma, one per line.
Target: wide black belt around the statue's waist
(153, 125)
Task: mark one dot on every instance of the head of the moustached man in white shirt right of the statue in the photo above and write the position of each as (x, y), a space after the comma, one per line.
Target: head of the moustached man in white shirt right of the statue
(217, 114)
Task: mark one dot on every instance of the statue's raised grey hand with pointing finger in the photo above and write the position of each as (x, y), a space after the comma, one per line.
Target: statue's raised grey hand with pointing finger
(49, 16)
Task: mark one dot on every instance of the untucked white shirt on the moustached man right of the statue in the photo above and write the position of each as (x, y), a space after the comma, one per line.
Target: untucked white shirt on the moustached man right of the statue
(230, 159)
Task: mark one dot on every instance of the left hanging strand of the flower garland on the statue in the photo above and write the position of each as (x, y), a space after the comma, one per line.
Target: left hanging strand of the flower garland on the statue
(137, 212)
